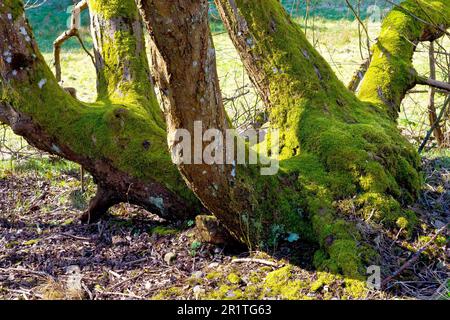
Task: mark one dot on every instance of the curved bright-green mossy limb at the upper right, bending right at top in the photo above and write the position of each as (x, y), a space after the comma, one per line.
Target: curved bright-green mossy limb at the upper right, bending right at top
(391, 72)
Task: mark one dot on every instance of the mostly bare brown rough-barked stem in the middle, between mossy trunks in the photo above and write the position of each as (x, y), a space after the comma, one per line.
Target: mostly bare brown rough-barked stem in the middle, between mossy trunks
(185, 65)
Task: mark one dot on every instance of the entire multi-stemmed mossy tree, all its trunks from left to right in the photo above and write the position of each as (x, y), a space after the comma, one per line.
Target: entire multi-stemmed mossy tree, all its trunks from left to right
(340, 156)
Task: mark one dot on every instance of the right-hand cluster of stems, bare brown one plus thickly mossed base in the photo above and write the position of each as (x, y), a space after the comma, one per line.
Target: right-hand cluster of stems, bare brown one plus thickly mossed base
(341, 157)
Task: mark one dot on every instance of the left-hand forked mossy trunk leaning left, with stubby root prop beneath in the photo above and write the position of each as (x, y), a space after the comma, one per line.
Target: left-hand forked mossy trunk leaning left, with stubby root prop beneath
(121, 138)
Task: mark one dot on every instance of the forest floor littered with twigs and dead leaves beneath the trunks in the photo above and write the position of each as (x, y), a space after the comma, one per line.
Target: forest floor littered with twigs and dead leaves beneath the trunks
(46, 253)
